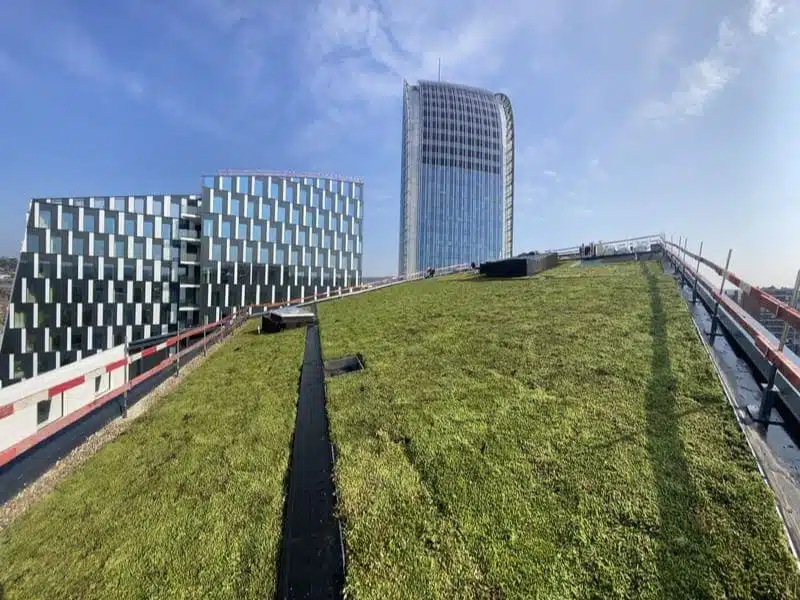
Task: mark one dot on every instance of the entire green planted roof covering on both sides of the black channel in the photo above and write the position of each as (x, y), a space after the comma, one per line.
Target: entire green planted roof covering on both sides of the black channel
(558, 436)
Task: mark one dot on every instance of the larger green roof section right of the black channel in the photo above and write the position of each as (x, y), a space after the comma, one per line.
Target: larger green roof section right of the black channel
(561, 436)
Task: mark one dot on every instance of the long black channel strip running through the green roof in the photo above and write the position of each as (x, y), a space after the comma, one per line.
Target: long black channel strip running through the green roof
(312, 558)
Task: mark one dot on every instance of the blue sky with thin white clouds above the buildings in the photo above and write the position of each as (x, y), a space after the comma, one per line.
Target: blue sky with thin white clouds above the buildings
(631, 117)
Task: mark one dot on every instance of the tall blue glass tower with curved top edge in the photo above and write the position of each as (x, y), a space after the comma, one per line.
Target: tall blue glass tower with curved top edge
(457, 196)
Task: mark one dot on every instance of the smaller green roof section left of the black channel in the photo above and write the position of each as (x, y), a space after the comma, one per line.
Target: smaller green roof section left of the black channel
(187, 503)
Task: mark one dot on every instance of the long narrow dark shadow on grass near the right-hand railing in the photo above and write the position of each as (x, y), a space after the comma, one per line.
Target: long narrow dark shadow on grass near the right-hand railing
(683, 554)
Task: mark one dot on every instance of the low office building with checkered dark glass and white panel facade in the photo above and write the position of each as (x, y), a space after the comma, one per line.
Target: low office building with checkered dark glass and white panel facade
(97, 272)
